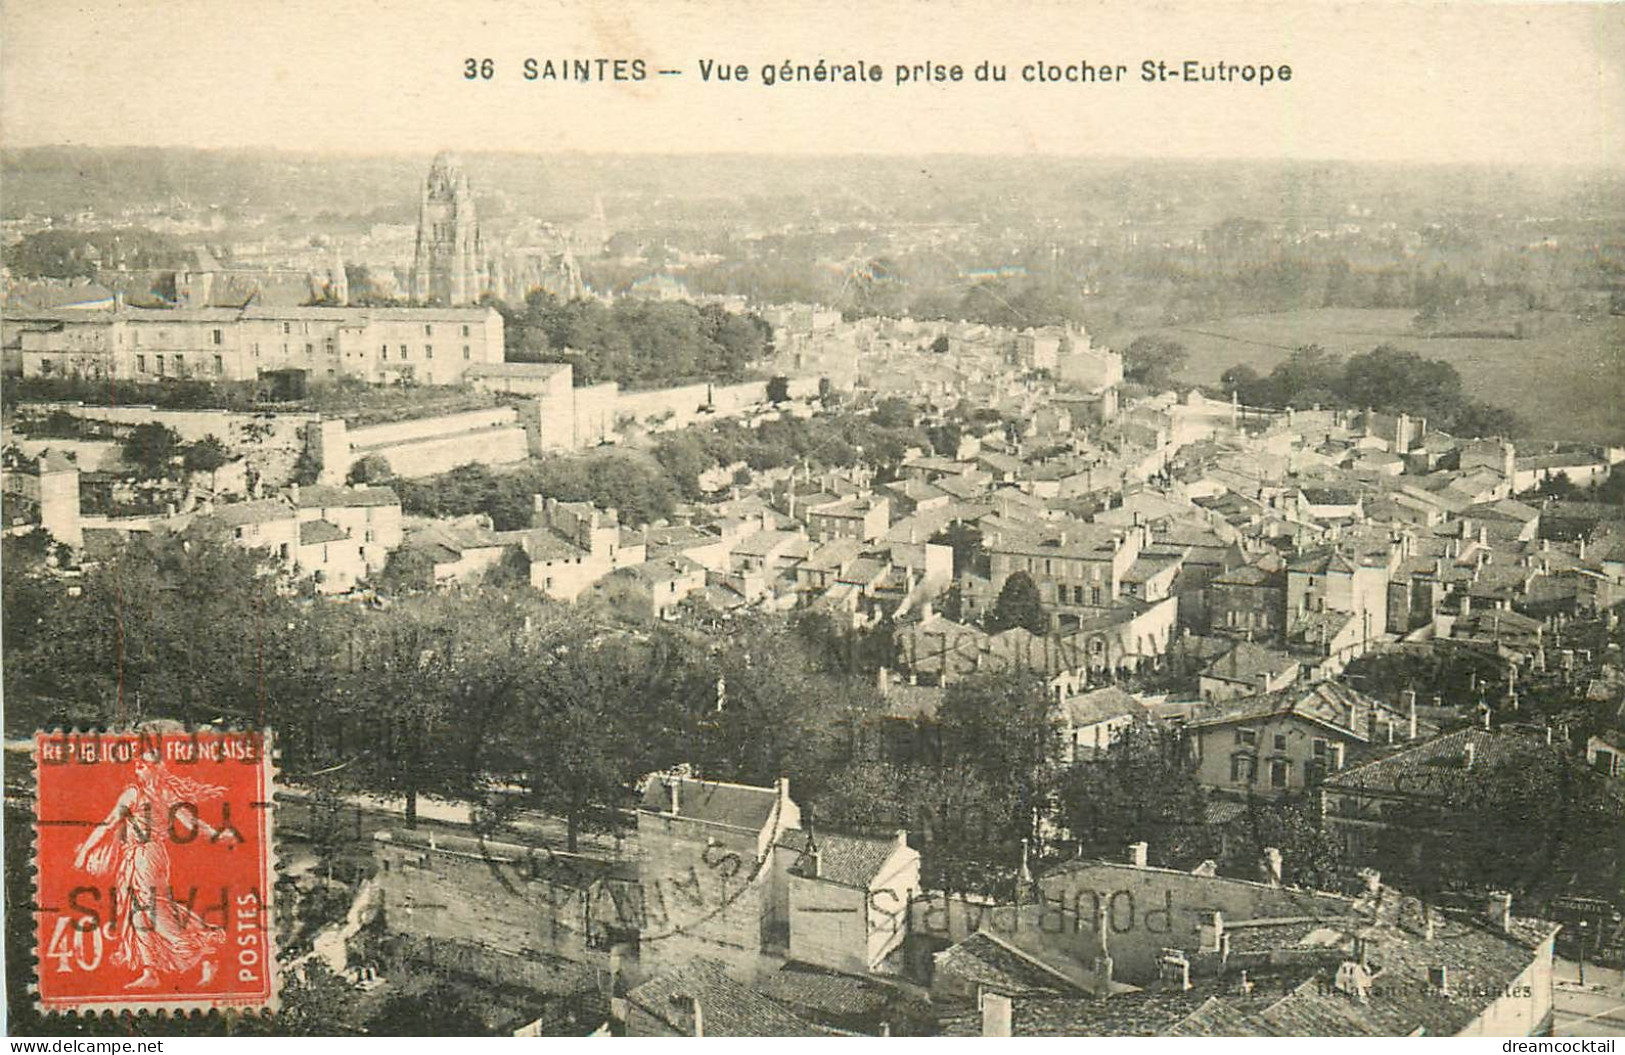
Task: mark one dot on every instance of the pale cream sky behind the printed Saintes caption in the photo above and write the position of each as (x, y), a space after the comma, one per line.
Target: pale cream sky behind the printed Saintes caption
(1390, 82)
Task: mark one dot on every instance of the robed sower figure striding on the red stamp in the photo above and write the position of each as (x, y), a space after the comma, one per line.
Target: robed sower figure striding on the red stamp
(157, 936)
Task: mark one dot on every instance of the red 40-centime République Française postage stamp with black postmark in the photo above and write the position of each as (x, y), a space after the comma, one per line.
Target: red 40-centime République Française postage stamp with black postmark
(154, 870)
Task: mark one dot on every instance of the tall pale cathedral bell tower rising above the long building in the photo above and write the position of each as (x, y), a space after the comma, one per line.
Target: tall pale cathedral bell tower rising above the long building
(448, 267)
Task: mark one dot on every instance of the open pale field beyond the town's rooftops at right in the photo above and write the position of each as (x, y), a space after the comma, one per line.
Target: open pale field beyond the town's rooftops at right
(1567, 383)
